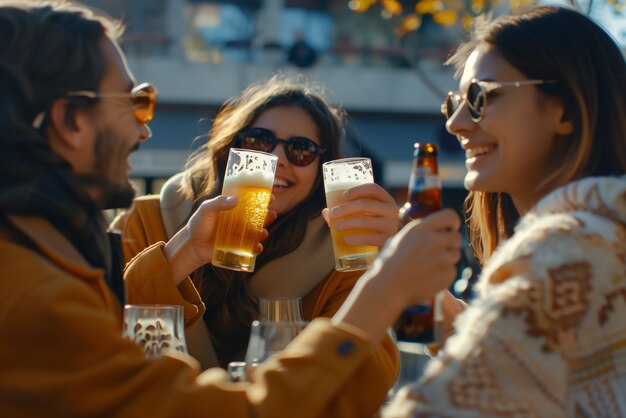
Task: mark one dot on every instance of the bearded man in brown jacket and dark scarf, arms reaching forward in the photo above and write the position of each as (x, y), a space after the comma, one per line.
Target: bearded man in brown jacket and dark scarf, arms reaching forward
(70, 116)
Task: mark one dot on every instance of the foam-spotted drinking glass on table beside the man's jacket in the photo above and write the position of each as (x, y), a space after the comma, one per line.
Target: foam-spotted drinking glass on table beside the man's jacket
(156, 328)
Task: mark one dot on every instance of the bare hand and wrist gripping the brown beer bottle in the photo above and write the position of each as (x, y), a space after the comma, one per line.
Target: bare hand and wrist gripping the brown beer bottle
(414, 265)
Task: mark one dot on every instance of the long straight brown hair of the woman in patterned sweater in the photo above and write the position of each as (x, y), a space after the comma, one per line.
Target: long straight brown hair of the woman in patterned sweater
(560, 44)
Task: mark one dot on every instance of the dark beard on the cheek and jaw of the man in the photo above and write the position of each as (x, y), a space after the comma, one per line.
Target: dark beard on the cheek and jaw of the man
(111, 157)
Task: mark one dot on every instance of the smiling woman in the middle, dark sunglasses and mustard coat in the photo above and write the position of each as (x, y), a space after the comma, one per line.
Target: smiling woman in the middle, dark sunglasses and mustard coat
(292, 119)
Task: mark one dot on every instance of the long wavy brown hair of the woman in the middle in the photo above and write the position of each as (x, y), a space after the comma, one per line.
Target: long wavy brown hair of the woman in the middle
(225, 292)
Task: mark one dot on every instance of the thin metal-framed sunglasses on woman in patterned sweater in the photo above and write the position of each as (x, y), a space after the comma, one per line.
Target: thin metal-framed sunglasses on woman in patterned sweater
(476, 96)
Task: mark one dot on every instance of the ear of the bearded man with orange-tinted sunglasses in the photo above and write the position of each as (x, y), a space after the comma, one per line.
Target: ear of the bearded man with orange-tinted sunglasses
(67, 122)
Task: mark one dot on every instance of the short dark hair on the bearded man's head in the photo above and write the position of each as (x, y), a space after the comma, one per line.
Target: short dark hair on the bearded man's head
(46, 51)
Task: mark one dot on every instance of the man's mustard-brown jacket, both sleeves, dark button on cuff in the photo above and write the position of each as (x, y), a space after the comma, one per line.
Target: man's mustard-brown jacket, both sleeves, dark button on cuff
(62, 353)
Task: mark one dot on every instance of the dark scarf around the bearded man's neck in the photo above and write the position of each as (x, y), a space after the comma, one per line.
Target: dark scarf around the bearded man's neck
(36, 182)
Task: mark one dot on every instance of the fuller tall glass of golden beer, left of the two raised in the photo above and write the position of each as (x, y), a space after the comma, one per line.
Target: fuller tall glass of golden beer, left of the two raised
(249, 176)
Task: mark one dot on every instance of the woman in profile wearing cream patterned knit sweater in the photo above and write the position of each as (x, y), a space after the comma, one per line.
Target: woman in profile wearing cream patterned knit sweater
(541, 116)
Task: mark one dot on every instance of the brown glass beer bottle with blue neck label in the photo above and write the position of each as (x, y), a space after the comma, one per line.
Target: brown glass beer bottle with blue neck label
(422, 323)
